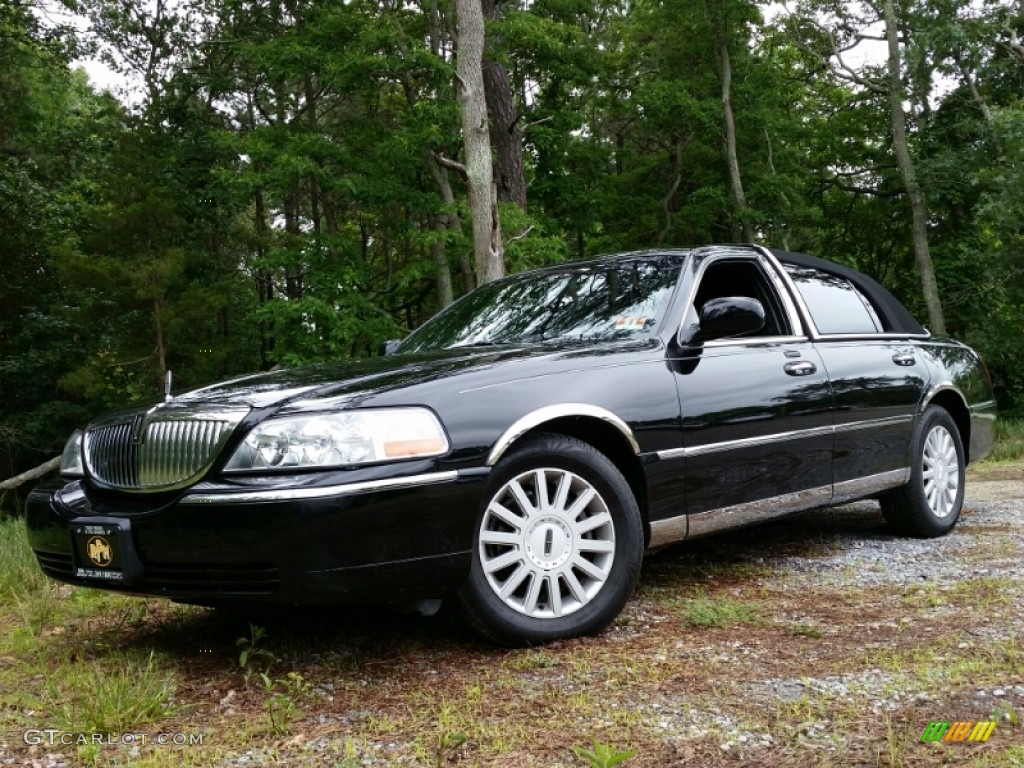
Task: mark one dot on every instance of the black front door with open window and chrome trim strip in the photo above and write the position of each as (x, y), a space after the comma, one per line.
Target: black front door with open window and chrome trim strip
(757, 412)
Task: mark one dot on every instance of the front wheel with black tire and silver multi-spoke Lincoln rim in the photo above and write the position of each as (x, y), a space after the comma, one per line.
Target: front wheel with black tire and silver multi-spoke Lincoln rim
(550, 593)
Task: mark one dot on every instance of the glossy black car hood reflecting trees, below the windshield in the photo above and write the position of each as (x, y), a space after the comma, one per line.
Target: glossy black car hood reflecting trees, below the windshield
(357, 379)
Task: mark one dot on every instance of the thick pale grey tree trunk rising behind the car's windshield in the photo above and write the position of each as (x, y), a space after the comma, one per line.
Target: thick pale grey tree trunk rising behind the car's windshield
(477, 143)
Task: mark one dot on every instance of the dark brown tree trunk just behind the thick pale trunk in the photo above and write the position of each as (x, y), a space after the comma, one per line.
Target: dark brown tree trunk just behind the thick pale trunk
(506, 134)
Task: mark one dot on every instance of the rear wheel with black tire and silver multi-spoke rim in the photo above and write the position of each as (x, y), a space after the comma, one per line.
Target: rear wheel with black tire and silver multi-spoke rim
(930, 504)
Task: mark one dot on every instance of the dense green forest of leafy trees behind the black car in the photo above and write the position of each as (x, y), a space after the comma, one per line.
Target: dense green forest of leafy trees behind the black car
(287, 184)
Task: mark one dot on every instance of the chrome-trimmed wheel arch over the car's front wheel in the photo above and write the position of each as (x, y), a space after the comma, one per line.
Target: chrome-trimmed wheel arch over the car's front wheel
(595, 426)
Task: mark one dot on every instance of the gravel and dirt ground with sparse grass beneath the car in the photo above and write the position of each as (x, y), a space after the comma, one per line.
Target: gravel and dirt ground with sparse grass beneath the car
(817, 641)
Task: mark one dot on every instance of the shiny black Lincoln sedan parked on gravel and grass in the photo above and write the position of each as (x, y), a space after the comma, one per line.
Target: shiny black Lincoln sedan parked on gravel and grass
(524, 448)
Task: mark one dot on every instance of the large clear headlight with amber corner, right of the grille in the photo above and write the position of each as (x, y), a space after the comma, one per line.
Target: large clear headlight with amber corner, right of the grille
(337, 440)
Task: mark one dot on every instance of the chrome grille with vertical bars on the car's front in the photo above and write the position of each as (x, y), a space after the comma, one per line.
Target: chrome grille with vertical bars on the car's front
(158, 452)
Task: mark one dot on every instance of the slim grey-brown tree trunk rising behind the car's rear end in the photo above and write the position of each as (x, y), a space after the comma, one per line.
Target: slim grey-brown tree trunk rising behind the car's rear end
(915, 193)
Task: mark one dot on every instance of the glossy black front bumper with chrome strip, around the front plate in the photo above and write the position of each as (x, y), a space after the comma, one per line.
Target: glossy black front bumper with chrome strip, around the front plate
(317, 541)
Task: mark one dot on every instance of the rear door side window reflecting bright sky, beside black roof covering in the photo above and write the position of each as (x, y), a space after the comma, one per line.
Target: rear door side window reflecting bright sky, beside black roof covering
(836, 306)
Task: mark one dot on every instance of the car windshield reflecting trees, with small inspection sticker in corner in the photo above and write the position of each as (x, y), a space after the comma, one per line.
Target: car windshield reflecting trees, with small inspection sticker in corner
(591, 303)
